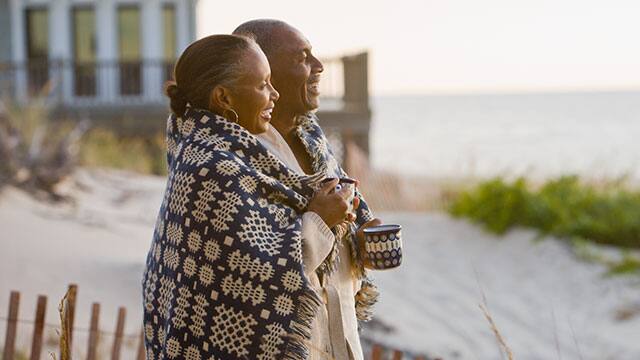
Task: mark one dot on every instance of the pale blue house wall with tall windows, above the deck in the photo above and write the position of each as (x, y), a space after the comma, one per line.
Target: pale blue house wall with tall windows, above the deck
(92, 56)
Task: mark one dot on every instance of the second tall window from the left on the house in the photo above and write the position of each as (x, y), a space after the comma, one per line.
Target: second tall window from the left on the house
(84, 51)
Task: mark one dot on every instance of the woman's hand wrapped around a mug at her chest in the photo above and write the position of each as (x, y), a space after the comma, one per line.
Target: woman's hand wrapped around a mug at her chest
(331, 206)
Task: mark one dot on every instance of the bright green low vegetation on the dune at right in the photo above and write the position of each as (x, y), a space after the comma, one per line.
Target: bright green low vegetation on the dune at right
(565, 207)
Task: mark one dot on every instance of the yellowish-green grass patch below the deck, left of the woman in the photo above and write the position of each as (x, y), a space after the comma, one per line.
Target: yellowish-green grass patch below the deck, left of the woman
(105, 148)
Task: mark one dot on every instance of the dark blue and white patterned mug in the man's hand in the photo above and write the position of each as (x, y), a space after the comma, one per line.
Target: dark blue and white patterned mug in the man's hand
(383, 246)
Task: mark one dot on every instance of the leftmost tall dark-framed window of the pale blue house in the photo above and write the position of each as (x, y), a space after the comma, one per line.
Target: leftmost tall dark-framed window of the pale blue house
(37, 31)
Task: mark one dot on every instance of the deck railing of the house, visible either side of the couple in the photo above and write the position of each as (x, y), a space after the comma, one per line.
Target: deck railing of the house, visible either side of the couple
(86, 85)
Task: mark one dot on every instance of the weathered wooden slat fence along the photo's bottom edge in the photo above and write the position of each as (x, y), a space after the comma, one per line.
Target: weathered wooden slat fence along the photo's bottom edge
(67, 310)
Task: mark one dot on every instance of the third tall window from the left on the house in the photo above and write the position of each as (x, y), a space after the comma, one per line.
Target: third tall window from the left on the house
(129, 50)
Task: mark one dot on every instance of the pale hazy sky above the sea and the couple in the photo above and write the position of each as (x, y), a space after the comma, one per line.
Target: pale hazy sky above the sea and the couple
(432, 46)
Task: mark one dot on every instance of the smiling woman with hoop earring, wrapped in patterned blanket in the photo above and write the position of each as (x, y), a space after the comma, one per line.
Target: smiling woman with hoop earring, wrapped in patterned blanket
(225, 277)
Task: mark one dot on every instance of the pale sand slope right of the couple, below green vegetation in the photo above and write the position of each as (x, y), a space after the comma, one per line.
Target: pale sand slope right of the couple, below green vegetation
(546, 303)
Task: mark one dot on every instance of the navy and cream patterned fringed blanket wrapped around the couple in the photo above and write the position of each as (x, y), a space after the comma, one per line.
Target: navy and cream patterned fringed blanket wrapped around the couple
(224, 276)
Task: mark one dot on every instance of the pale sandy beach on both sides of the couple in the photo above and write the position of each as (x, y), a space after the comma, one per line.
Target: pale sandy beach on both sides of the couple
(546, 303)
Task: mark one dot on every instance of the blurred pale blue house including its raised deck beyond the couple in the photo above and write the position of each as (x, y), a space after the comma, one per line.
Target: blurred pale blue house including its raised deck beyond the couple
(108, 60)
